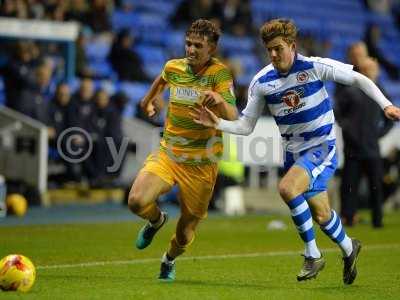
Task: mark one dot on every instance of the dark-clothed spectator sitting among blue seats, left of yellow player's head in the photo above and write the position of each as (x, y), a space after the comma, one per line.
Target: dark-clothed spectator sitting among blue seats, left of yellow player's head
(124, 60)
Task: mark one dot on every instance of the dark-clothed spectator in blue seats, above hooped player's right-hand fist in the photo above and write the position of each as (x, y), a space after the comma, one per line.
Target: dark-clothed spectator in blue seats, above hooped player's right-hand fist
(372, 38)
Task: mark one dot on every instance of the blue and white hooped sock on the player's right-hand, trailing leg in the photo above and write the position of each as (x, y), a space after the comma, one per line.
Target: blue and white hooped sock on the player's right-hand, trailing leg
(334, 229)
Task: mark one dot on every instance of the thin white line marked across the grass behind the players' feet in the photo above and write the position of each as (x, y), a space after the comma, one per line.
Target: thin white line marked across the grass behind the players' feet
(205, 257)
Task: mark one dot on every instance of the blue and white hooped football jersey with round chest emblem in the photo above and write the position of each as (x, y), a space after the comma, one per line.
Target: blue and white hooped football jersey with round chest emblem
(298, 100)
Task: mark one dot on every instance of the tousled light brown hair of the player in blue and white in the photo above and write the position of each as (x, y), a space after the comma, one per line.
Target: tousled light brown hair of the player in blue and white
(278, 27)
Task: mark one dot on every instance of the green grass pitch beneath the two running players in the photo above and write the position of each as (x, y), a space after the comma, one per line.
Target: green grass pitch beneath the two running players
(231, 258)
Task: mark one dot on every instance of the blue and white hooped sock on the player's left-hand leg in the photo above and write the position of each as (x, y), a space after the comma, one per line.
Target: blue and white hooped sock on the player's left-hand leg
(301, 216)
